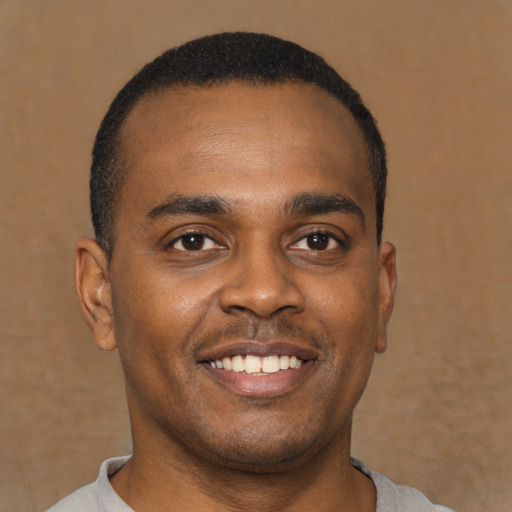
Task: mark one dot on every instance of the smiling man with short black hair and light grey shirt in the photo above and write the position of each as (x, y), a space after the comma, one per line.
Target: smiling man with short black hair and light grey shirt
(237, 195)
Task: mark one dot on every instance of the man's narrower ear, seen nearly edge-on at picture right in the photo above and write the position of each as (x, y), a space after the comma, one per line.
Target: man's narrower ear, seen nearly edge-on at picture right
(387, 287)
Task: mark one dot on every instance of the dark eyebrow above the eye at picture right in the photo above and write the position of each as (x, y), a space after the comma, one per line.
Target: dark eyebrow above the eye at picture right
(319, 204)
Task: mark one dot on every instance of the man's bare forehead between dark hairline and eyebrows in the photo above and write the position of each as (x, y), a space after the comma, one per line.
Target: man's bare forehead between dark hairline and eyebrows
(179, 140)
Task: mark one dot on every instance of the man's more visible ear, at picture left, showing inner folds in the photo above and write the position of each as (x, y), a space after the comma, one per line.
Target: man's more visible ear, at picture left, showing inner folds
(95, 292)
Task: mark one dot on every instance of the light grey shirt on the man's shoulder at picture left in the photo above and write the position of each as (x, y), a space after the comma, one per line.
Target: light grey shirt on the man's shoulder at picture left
(98, 496)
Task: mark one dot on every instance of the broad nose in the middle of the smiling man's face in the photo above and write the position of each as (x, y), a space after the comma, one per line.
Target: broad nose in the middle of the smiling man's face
(261, 283)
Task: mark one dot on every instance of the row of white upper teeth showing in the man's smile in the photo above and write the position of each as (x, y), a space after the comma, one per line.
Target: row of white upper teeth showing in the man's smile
(256, 365)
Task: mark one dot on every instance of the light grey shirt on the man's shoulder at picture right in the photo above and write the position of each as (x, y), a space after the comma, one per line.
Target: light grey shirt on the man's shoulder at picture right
(397, 498)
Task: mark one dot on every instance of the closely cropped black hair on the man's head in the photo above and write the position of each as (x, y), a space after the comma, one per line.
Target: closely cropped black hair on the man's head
(258, 59)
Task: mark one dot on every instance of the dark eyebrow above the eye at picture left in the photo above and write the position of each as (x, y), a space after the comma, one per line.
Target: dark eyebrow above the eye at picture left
(198, 205)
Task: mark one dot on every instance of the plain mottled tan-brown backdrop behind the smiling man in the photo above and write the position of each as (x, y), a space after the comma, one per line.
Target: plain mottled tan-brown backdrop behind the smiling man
(437, 75)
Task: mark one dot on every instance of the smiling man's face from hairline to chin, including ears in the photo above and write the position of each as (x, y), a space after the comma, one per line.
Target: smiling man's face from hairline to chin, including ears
(246, 291)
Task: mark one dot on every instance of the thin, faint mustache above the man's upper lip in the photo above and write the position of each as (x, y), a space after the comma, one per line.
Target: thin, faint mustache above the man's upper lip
(260, 330)
